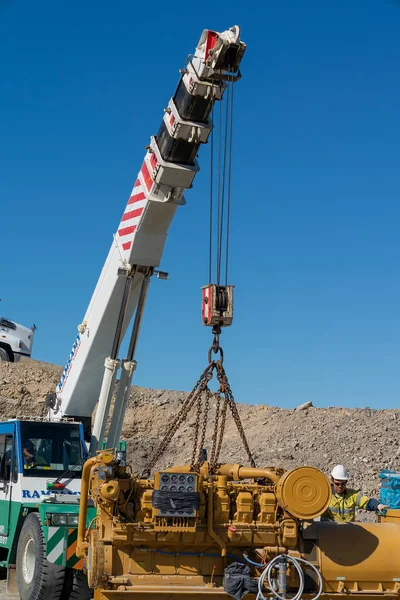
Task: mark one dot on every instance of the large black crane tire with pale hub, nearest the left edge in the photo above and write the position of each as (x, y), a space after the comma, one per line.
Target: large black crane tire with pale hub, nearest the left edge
(37, 578)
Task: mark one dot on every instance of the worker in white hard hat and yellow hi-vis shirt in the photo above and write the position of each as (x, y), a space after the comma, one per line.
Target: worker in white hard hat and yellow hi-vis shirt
(344, 501)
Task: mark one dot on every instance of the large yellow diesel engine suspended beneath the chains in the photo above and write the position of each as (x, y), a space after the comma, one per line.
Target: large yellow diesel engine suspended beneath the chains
(175, 535)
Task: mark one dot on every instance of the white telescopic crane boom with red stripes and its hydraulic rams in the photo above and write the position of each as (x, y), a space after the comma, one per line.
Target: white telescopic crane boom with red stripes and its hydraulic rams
(168, 169)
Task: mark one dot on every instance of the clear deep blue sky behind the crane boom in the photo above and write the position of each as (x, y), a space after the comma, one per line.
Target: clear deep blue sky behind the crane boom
(315, 219)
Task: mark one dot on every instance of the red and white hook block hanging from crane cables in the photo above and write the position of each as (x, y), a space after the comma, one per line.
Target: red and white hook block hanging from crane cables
(217, 305)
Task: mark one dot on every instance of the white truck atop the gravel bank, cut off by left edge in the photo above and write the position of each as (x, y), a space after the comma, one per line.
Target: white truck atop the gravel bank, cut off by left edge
(15, 340)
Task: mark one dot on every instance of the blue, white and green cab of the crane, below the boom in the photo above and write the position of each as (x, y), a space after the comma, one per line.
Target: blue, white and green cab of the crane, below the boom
(39, 461)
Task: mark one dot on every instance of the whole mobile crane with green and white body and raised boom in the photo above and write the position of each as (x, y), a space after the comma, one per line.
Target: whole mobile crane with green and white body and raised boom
(42, 459)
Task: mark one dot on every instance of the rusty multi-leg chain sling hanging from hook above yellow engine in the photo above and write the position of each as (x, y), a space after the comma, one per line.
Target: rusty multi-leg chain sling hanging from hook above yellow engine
(199, 400)
